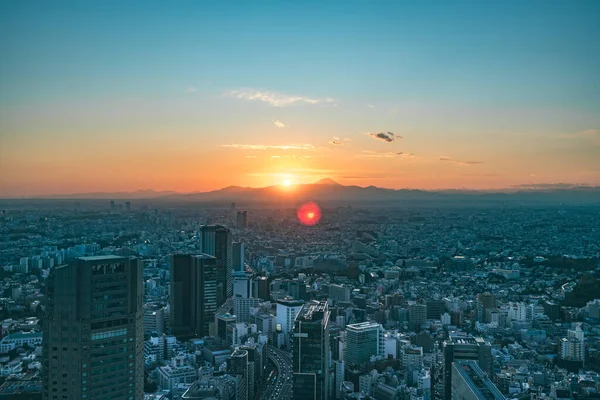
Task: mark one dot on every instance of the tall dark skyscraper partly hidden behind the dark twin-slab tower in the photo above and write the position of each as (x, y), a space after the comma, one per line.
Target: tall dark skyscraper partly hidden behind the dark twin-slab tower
(217, 242)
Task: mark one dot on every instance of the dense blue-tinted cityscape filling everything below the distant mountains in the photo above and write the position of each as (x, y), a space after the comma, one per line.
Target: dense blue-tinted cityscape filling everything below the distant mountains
(129, 299)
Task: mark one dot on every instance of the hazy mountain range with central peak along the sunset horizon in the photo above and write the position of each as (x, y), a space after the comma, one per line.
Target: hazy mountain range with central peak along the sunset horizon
(328, 190)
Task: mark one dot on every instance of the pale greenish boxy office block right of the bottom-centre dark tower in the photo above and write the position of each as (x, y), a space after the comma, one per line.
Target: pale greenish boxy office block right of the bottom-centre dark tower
(363, 340)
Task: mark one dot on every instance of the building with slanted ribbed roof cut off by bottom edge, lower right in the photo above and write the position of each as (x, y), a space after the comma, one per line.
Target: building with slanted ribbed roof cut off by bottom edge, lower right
(469, 382)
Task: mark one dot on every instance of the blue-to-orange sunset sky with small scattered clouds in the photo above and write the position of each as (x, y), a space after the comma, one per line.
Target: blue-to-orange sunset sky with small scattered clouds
(195, 96)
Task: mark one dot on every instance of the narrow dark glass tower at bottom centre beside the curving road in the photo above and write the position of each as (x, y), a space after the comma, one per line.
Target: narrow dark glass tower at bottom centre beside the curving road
(310, 352)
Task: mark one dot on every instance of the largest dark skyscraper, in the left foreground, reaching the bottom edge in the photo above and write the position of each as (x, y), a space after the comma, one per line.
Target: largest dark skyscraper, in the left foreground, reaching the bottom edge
(93, 330)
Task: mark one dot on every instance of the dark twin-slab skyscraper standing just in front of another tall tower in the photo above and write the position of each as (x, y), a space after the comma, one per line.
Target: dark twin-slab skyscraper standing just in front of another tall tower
(193, 294)
